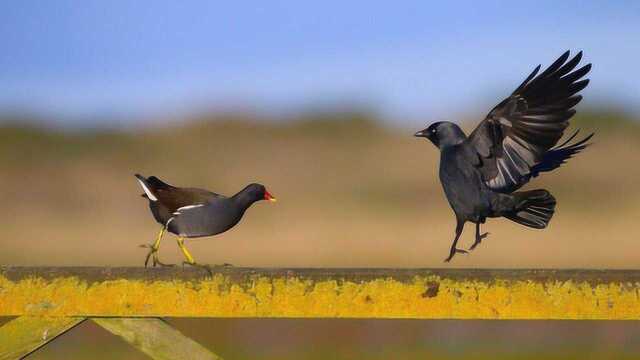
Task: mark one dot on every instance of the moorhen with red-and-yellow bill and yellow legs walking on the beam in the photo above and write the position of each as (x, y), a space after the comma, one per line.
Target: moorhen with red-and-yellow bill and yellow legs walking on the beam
(191, 212)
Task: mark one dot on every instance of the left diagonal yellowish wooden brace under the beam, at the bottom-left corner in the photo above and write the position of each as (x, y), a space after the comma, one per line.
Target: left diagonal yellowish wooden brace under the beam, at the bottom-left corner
(24, 335)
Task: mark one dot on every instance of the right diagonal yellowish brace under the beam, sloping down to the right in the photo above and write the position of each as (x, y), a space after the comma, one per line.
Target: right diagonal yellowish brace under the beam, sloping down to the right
(156, 338)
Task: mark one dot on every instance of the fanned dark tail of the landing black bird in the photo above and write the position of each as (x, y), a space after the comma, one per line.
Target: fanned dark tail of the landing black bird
(533, 208)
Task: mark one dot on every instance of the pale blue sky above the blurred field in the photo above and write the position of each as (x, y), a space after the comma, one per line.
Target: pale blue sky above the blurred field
(411, 61)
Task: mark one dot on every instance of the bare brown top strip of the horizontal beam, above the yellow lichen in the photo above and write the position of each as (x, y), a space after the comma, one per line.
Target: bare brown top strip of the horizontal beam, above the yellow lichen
(240, 274)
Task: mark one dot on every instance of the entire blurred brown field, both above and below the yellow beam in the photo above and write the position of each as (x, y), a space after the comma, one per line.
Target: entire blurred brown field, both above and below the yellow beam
(352, 193)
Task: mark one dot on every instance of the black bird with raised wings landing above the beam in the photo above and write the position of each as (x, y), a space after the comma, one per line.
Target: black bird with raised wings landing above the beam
(514, 143)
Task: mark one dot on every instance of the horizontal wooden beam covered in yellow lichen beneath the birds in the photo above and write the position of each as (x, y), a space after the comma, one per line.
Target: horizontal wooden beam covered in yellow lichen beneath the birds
(321, 293)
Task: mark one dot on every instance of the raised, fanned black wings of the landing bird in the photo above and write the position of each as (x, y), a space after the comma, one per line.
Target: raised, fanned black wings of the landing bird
(516, 140)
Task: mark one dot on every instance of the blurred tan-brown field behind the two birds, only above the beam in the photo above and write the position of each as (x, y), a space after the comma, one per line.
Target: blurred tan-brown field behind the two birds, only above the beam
(352, 193)
